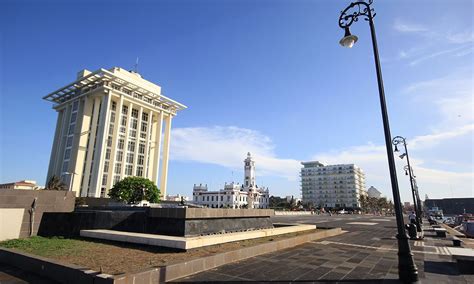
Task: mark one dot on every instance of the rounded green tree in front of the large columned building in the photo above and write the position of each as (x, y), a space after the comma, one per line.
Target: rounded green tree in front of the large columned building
(135, 189)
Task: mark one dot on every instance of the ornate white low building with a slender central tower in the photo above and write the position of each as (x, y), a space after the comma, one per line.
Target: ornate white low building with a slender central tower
(235, 195)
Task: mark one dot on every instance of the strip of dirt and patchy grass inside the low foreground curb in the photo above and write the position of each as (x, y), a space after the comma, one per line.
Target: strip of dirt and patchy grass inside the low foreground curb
(116, 258)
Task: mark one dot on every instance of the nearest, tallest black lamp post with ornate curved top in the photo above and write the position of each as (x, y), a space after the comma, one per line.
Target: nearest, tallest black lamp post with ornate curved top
(407, 270)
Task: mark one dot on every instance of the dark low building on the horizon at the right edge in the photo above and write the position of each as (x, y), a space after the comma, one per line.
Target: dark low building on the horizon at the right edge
(451, 206)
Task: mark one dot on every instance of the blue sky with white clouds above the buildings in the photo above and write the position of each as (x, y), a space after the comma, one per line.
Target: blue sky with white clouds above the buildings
(262, 76)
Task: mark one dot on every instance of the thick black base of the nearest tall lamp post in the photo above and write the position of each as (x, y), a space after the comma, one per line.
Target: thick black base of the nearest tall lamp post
(407, 270)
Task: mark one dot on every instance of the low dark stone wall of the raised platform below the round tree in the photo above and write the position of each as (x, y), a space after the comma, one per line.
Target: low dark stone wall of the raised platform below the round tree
(163, 221)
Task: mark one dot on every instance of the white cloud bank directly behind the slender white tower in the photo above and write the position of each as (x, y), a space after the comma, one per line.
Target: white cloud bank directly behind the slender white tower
(228, 146)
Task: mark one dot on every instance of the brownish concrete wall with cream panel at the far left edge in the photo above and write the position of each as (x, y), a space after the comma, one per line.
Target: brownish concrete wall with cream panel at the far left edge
(15, 208)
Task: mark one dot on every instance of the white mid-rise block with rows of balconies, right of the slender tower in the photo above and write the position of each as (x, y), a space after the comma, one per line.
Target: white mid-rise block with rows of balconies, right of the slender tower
(332, 186)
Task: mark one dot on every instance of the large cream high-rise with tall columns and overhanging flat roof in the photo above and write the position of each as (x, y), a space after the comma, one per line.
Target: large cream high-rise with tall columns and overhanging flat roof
(111, 124)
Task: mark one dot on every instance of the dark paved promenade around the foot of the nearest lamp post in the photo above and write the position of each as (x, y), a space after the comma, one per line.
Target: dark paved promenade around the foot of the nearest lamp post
(367, 252)
